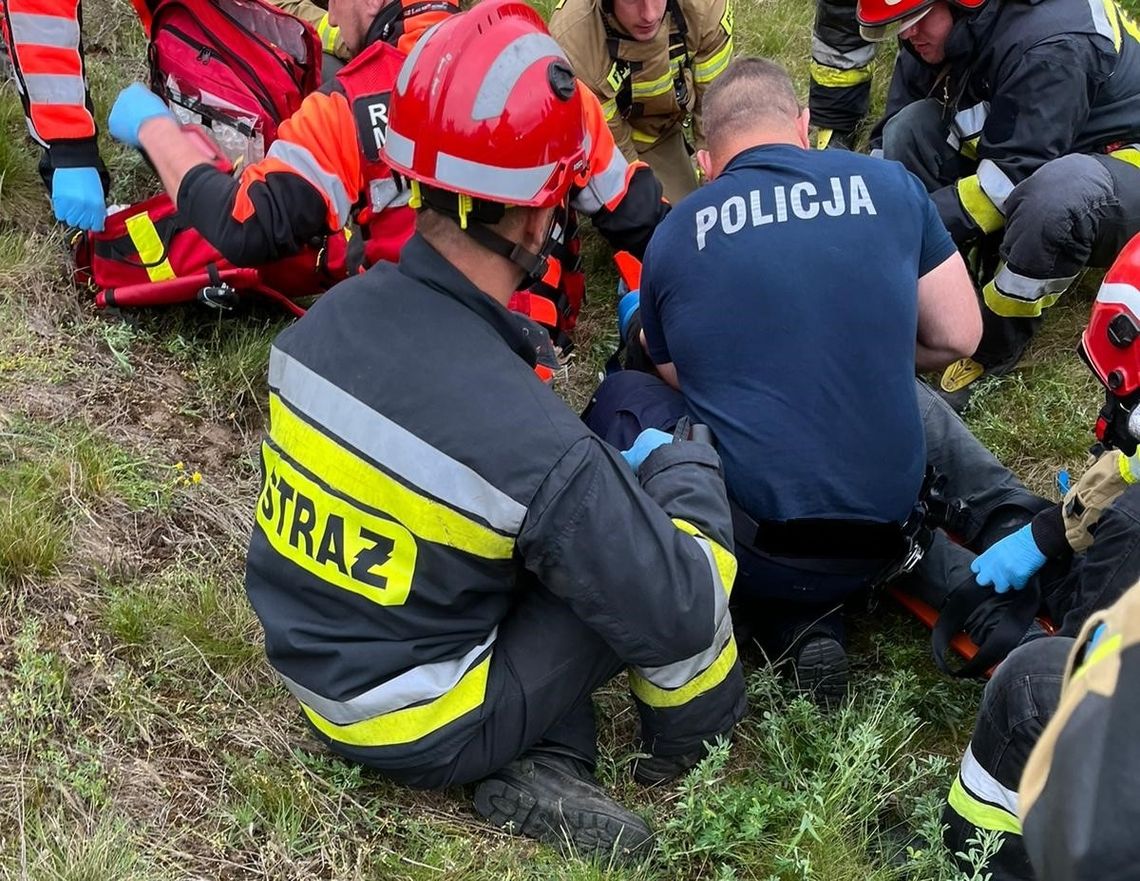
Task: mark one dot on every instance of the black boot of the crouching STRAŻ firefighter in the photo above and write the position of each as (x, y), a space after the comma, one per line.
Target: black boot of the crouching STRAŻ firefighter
(553, 798)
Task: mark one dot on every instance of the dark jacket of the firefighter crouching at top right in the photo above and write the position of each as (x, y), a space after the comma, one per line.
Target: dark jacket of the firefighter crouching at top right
(1025, 81)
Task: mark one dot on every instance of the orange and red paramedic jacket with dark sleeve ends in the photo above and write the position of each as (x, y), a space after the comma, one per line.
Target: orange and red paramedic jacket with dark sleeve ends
(324, 172)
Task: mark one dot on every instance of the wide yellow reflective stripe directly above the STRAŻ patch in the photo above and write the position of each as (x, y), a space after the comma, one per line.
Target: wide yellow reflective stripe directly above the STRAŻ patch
(428, 519)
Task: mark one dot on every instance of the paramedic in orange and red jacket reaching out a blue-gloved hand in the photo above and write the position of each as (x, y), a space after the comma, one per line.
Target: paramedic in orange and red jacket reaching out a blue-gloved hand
(327, 173)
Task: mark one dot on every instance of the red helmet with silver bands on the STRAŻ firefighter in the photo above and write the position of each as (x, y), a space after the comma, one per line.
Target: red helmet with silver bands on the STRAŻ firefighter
(487, 107)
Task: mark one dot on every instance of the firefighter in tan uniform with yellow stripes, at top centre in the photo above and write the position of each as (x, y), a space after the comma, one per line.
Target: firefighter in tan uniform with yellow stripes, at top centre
(650, 62)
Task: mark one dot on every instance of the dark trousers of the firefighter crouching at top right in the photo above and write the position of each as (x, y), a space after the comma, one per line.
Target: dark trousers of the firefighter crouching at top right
(1076, 211)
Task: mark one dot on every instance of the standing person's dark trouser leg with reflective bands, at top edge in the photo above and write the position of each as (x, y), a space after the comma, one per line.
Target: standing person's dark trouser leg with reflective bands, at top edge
(840, 95)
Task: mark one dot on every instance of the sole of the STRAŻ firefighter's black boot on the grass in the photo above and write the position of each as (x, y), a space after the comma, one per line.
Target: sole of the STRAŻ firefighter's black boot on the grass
(587, 833)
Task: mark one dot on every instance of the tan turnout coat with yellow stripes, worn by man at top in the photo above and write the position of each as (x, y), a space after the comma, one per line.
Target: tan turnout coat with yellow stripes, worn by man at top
(648, 89)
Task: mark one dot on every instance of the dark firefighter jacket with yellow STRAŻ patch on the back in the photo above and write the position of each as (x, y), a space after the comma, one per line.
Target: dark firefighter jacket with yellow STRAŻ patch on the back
(418, 476)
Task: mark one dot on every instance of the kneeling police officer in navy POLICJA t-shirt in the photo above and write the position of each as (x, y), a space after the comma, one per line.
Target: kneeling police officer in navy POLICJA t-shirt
(791, 301)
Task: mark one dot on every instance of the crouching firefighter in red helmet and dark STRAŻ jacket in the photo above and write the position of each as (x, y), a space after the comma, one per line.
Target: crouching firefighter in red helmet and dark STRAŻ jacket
(446, 561)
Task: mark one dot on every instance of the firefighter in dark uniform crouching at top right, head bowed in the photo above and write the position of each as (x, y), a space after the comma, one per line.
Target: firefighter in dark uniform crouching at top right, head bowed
(1020, 117)
